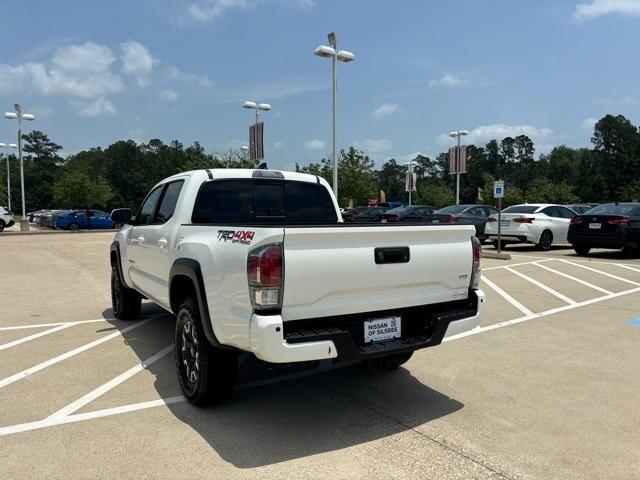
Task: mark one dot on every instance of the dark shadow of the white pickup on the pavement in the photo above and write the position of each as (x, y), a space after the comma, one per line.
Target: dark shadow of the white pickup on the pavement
(273, 417)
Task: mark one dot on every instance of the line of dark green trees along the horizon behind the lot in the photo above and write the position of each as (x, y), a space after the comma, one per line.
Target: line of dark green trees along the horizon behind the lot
(122, 174)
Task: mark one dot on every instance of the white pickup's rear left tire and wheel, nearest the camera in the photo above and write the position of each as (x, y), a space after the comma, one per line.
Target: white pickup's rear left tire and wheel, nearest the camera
(206, 374)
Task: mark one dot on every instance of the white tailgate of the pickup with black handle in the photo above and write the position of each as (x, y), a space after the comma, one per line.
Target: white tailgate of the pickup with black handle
(333, 271)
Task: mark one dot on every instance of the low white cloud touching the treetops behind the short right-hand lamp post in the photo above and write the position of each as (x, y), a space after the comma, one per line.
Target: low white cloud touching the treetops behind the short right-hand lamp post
(542, 137)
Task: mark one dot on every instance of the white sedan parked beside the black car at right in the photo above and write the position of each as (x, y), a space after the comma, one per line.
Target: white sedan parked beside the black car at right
(540, 223)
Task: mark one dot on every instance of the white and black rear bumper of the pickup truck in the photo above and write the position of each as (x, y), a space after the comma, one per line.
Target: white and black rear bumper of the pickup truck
(298, 341)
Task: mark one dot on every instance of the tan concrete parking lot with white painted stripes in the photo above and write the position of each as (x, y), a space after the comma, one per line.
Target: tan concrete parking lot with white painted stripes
(546, 388)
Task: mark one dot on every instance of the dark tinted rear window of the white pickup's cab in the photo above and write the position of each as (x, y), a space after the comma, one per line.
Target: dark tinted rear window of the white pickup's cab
(263, 201)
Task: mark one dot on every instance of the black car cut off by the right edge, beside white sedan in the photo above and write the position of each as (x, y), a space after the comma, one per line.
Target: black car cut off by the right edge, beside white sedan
(611, 225)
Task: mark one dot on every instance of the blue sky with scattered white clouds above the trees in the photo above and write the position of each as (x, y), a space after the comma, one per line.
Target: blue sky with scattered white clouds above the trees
(95, 72)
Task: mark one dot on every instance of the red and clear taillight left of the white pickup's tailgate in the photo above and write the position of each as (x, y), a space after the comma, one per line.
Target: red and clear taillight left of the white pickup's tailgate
(264, 269)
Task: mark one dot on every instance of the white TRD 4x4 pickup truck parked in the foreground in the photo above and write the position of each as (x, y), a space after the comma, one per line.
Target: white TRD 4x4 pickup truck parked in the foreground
(260, 261)
